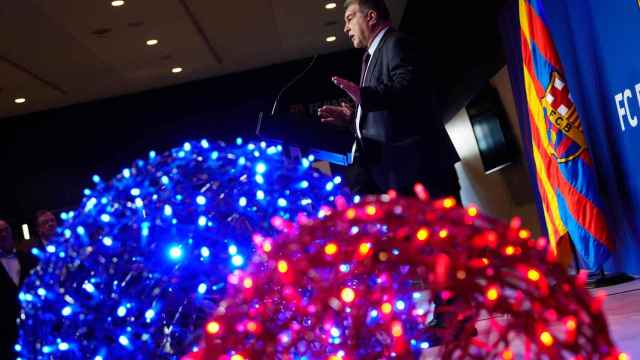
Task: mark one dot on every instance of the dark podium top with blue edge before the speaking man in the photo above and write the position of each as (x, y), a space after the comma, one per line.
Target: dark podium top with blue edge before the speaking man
(301, 133)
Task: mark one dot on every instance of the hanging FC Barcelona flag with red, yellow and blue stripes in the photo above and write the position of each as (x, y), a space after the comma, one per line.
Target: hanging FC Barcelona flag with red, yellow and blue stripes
(564, 169)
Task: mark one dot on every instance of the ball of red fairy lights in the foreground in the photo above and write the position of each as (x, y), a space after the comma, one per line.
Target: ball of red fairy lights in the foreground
(359, 283)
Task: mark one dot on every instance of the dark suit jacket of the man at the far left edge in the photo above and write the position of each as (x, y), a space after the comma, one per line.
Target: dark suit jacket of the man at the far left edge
(9, 303)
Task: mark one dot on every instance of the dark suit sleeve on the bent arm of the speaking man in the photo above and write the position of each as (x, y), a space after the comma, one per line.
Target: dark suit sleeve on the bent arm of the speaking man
(402, 60)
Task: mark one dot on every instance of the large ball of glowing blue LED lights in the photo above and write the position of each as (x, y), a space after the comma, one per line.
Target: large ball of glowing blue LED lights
(135, 271)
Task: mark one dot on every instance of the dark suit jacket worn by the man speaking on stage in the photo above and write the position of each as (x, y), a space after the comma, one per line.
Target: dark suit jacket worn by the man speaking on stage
(403, 138)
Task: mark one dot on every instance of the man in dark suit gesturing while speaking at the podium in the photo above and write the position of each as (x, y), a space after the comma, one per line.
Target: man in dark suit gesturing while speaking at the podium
(400, 138)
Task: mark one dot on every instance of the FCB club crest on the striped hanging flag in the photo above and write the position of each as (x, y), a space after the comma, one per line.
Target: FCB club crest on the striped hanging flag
(566, 139)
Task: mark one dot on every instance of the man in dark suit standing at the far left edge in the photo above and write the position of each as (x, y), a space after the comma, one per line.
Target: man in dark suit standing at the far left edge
(14, 268)
